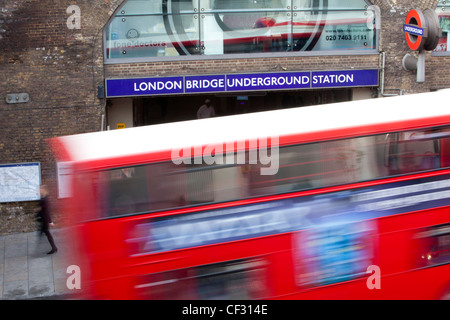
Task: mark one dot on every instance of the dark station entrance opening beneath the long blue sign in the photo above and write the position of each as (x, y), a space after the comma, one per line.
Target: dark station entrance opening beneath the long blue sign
(141, 111)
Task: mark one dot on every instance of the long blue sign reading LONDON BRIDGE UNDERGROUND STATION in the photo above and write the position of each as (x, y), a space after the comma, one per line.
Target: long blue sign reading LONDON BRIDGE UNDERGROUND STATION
(240, 82)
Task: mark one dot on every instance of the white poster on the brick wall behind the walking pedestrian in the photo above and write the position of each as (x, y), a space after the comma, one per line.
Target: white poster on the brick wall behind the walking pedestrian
(20, 182)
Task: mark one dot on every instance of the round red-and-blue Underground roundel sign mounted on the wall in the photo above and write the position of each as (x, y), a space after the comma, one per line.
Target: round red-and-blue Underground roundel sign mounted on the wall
(422, 30)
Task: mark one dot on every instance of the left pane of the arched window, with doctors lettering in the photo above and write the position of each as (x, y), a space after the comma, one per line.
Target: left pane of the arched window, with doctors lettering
(149, 33)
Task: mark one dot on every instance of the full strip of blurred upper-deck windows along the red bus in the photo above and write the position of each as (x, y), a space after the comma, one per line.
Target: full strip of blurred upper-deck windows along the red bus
(194, 181)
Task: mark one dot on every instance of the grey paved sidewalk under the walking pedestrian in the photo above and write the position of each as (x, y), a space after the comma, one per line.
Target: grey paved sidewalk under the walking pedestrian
(27, 271)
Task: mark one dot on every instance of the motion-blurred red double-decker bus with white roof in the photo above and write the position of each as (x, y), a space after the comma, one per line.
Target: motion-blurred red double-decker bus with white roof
(183, 211)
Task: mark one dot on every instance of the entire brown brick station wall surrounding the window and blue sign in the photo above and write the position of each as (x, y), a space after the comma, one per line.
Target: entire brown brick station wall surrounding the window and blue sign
(60, 68)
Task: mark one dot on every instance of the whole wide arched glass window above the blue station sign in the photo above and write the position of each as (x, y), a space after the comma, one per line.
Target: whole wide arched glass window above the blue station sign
(144, 29)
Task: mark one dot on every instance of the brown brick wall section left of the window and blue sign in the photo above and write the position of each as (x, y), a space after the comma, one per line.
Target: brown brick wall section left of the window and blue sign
(60, 69)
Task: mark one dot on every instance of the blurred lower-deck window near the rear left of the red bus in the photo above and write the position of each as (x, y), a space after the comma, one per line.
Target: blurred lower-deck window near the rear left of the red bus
(231, 280)
